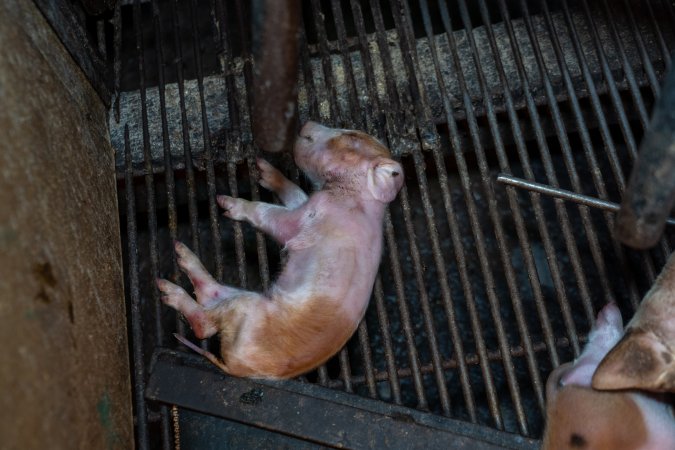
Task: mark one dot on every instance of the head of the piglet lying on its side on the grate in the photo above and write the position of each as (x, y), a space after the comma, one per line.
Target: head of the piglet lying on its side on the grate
(348, 159)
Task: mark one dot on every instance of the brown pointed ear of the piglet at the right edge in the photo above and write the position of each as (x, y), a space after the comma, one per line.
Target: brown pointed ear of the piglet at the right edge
(639, 361)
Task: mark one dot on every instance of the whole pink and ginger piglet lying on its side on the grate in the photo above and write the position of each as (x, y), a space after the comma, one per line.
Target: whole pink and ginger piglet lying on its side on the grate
(333, 244)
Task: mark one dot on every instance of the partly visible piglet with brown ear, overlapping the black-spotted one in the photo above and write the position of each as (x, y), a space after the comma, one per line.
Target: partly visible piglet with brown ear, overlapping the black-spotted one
(645, 357)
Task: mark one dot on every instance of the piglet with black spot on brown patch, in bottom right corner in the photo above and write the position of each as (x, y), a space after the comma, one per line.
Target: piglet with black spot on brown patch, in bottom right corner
(581, 418)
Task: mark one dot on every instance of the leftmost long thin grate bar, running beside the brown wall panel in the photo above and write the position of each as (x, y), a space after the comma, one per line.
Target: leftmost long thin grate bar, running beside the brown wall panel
(141, 412)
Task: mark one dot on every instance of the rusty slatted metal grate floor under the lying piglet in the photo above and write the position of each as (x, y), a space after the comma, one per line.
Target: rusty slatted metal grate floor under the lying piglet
(483, 288)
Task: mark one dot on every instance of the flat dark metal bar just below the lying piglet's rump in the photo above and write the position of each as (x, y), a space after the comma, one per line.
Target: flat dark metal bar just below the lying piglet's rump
(312, 413)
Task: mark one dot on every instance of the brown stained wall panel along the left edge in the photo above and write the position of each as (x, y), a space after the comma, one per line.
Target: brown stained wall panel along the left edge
(64, 375)
